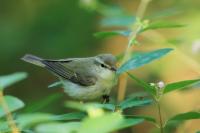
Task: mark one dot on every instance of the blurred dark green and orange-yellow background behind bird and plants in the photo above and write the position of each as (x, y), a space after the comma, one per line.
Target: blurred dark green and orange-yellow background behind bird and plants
(63, 28)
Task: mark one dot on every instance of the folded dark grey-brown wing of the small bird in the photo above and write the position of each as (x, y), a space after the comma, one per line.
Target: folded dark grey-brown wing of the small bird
(62, 69)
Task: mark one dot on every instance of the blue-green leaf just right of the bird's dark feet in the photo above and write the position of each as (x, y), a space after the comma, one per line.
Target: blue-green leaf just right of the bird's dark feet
(134, 102)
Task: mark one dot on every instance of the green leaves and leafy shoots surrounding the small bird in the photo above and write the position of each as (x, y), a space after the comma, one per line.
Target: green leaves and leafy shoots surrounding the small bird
(93, 117)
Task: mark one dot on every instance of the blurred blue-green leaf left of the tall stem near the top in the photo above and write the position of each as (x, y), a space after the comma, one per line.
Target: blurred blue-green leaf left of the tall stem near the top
(118, 21)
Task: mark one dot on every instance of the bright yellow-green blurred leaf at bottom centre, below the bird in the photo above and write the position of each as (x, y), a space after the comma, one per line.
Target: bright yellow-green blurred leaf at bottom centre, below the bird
(107, 123)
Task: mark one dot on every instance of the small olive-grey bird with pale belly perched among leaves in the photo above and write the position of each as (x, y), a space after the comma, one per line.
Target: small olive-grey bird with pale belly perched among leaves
(82, 78)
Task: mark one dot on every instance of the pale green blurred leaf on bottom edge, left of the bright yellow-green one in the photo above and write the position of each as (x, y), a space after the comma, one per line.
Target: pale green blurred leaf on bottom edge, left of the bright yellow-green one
(58, 127)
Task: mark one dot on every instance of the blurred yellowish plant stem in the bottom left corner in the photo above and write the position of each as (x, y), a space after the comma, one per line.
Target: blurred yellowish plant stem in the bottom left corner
(9, 117)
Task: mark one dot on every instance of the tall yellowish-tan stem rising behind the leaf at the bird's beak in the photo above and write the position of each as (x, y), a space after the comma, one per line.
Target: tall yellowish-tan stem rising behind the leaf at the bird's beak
(123, 78)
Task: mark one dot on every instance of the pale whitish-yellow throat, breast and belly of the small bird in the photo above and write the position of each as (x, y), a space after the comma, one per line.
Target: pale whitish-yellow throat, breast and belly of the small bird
(103, 86)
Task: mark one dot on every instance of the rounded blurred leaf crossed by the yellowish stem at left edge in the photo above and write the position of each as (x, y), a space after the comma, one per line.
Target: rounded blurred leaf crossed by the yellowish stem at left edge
(13, 104)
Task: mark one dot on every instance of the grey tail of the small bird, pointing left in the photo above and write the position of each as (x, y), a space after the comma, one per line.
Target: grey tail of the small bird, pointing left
(33, 59)
